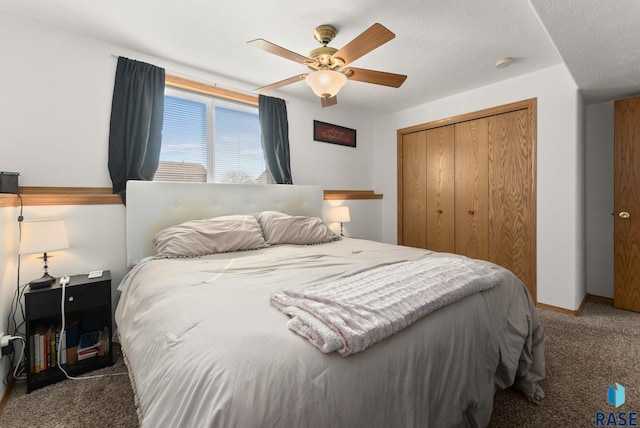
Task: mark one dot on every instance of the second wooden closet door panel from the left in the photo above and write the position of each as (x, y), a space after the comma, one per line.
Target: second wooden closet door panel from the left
(440, 189)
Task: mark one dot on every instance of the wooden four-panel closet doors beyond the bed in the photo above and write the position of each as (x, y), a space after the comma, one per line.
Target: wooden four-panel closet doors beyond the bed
(466, 185)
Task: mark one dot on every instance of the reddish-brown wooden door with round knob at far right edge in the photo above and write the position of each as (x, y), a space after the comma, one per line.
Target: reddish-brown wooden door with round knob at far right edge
(626, 226)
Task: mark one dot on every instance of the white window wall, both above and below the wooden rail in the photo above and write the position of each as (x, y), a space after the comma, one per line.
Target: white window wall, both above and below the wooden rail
(55, 108)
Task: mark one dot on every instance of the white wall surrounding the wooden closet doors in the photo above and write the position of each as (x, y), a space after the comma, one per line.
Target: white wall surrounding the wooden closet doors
(560, 201)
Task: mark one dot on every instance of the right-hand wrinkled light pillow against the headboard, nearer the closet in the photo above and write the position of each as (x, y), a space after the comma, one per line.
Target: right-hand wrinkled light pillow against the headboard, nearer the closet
(280, 228)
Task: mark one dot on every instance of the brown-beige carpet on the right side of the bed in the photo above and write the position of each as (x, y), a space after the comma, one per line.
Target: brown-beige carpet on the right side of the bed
(585, 356)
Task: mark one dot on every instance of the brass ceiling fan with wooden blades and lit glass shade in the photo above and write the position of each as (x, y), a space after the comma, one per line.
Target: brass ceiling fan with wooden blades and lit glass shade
(329, 71)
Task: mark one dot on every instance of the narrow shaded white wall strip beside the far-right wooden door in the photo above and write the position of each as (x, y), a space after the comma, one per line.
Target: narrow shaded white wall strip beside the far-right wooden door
(599, 199)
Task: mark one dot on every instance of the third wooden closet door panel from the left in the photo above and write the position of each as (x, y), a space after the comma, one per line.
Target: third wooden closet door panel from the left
(471, 188)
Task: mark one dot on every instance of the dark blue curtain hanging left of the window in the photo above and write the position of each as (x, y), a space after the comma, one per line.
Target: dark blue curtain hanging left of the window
(135, 134)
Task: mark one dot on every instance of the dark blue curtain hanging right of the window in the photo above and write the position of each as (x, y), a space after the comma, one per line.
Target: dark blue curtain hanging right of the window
(274, 127)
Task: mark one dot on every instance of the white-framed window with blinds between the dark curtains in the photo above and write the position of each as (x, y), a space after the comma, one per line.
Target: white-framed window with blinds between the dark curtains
(209, 139)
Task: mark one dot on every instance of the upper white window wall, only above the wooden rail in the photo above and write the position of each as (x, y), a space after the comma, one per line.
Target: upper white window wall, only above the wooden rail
(58, 105)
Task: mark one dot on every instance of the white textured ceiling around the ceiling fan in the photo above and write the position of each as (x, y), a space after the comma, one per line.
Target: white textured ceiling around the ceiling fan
(445, 47)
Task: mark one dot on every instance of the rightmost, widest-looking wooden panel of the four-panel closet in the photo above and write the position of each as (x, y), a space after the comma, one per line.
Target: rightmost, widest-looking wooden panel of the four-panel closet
(511, 199)
